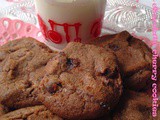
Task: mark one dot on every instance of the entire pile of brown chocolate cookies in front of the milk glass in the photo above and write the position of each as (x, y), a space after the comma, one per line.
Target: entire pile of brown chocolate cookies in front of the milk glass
(106, 79)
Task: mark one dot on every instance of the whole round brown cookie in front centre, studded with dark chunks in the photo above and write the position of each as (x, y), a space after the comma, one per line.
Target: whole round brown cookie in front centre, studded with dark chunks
(81, 82)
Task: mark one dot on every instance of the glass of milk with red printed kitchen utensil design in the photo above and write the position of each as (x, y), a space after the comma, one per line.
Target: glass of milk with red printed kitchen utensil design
(64, 21)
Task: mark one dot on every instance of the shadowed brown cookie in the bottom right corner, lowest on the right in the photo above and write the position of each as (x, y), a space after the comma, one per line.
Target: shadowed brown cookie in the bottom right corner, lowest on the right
(135, 106)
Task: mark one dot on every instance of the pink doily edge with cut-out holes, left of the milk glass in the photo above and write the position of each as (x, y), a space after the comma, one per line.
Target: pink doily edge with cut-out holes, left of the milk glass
(14, 29)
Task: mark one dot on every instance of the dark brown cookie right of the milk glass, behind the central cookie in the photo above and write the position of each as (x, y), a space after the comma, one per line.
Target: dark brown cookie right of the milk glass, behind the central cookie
(134, 57)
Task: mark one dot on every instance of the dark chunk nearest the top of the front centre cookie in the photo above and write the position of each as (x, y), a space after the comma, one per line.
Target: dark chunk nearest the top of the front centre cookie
(72, 63)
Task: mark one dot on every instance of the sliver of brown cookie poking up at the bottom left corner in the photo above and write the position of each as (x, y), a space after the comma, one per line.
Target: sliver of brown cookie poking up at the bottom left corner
(31, 113)
